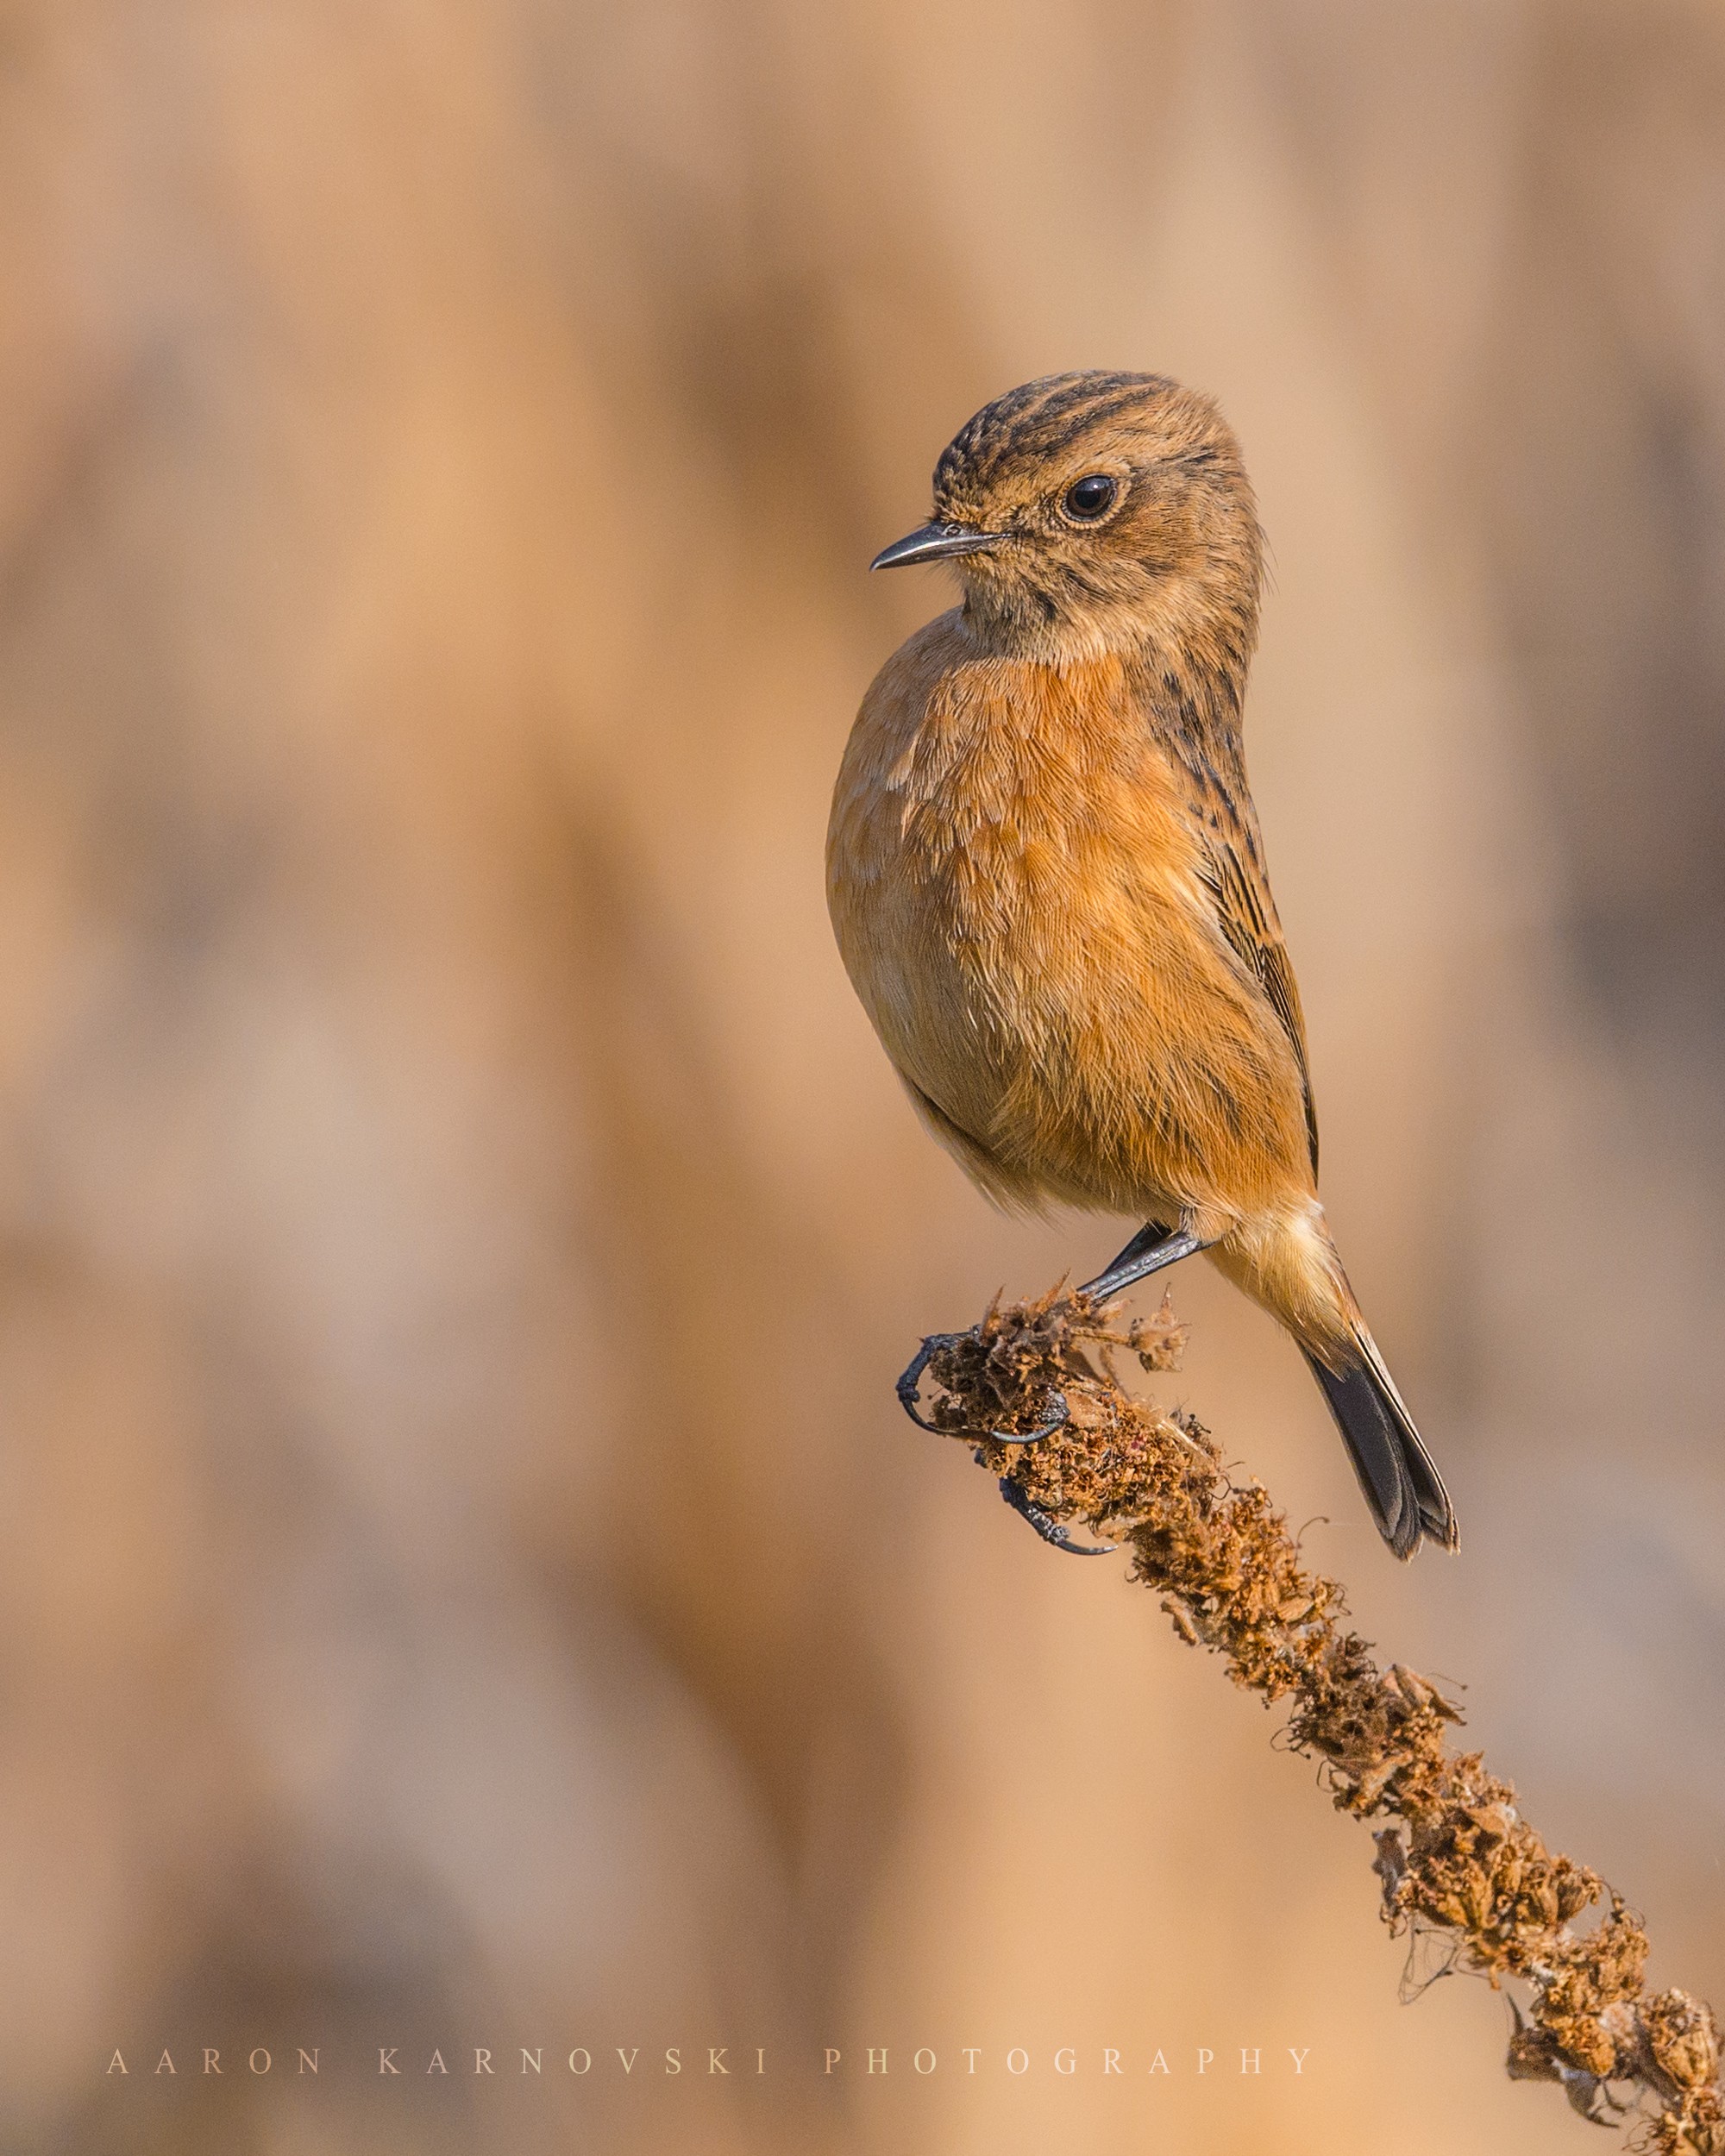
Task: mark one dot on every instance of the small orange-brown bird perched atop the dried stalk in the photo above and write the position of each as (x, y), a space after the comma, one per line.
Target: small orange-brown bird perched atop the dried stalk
(1049, 887)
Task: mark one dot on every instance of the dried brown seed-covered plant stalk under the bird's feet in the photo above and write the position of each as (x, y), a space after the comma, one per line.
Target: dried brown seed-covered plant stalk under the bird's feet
(1457, 1857)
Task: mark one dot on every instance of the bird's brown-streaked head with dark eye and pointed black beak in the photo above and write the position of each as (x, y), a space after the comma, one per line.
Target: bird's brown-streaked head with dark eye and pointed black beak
(1092, 514)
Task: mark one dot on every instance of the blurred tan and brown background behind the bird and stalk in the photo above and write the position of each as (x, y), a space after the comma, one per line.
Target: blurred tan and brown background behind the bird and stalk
(465, 1579)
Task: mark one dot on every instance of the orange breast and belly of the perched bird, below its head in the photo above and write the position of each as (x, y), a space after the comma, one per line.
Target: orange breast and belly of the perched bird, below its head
(1015, 883)
